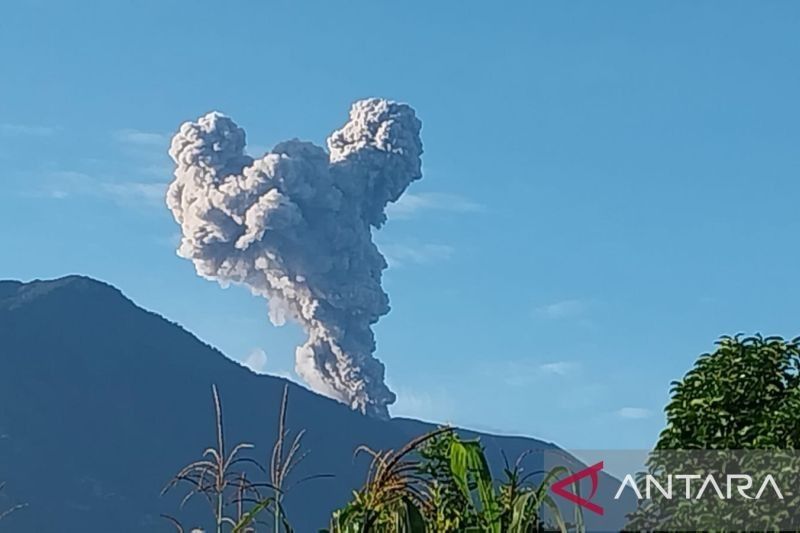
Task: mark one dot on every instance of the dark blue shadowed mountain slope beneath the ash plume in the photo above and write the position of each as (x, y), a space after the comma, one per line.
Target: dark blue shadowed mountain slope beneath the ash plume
(101, 402)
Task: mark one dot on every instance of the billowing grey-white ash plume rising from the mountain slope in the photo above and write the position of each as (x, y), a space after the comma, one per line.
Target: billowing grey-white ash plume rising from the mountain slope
(295, 226)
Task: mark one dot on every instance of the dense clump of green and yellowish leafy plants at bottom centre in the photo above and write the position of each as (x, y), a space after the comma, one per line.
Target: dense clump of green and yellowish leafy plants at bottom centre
(441, 483)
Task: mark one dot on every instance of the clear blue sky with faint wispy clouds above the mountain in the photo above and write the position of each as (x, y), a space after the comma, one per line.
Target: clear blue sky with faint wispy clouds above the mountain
(608, 187)
